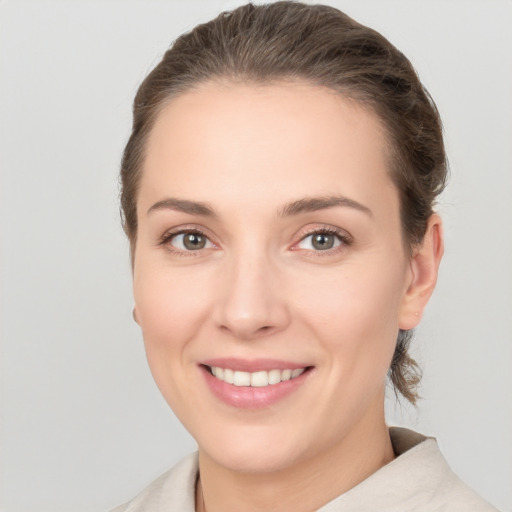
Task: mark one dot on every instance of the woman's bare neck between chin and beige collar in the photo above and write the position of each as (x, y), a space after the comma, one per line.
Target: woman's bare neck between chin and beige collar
(306, 486)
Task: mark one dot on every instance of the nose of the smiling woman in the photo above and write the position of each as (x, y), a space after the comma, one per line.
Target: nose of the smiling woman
(251, 300)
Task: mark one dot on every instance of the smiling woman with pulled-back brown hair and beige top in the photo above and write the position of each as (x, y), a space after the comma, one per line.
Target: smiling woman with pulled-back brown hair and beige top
(278, 192)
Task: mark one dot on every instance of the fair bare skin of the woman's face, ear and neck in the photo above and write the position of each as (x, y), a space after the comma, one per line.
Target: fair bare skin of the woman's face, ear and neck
(260, 289)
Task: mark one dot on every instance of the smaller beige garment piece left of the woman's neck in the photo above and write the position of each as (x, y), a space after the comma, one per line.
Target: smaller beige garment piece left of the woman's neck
(174, 490)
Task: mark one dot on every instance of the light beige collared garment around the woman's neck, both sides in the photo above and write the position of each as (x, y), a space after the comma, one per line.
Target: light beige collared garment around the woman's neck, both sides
(418, 480)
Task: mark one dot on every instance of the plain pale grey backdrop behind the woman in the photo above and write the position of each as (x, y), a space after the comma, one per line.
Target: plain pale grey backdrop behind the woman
(83, 427)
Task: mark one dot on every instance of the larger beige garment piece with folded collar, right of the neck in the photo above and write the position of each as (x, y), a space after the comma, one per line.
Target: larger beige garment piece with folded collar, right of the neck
(418, 480)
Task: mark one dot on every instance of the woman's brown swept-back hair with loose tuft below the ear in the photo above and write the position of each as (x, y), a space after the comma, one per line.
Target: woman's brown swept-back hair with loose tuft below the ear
(323, 46)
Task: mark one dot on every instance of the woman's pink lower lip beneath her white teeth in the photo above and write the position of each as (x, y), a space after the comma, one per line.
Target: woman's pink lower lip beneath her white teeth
(249, 397)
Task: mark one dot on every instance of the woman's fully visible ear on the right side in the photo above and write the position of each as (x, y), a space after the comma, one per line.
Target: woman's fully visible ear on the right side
(424, 266)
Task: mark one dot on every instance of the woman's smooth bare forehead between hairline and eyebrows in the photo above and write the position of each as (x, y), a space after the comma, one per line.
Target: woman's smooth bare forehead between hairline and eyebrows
(292, 137)
